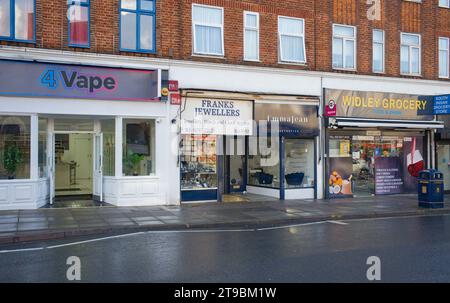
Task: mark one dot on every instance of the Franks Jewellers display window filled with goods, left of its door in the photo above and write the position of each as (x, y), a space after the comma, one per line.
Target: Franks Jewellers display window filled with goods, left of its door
(198, 162)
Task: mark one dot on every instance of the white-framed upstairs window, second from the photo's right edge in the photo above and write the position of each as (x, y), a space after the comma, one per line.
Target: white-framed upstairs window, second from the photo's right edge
(410, 62)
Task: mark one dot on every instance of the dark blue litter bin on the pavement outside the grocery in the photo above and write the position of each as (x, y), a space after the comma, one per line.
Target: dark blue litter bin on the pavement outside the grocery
(431, 189)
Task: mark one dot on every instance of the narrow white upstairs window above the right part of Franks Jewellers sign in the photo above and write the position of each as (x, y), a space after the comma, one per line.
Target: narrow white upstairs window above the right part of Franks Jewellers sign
(251, 36)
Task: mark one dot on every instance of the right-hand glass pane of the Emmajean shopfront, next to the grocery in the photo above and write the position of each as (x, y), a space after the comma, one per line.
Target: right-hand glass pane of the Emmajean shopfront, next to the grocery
(299, 163)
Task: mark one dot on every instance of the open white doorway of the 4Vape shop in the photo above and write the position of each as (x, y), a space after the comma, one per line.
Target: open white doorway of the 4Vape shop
(75, 167)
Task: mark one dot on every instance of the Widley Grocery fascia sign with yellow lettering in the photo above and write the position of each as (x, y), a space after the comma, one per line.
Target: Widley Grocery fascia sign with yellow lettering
(377, 105)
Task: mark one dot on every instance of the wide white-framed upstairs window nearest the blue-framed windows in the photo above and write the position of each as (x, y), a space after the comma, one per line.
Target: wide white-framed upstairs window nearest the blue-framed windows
(207, 28)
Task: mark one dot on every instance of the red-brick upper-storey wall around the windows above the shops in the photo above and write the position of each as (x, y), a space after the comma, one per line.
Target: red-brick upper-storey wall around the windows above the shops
(174, 30)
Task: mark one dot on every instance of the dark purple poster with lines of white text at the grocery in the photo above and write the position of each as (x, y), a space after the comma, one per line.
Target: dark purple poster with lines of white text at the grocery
(388, 176)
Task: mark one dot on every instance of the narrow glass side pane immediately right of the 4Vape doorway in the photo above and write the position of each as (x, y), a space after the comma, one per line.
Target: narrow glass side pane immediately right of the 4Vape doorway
(109, 143)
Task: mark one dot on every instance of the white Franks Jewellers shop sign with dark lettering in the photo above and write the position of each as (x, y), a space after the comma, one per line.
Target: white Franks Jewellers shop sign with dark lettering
(205, 116)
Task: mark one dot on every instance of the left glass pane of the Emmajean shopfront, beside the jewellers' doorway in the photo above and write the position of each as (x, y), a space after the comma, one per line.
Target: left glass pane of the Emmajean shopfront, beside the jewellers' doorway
(264, 163)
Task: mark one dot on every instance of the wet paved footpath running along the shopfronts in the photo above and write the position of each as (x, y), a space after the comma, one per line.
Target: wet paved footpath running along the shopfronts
(17, 226)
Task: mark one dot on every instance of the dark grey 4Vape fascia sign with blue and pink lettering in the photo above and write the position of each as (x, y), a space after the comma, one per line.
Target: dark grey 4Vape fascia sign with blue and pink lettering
(29, 79)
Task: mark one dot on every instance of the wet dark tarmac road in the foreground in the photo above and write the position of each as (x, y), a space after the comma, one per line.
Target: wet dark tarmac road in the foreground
(414, 249)
